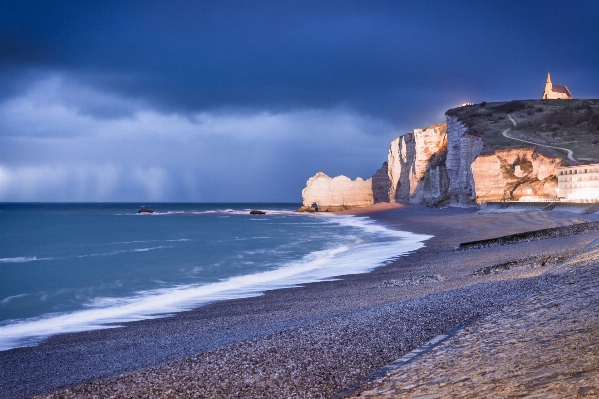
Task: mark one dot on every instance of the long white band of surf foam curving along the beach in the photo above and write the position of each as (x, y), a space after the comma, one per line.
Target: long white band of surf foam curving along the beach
(359, 257)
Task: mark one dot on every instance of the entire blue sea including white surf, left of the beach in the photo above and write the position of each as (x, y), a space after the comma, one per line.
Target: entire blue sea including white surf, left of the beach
(70, 267)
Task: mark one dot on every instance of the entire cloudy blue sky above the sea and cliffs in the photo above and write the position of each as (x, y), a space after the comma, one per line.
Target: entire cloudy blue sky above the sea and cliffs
(243, 101)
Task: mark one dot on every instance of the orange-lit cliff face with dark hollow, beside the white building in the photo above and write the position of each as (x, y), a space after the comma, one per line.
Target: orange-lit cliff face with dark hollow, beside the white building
(514, 173)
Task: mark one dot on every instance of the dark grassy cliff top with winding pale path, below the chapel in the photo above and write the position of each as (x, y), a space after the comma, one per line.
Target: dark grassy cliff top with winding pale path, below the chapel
(570, 124)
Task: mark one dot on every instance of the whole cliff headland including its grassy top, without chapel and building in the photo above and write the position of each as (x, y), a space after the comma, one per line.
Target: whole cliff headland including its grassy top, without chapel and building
(468, 160)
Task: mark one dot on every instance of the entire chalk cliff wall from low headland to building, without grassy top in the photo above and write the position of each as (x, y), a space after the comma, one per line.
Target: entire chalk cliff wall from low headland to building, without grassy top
(440, 165)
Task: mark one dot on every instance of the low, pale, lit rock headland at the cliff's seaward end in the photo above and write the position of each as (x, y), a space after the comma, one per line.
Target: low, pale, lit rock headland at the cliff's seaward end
(336, 194)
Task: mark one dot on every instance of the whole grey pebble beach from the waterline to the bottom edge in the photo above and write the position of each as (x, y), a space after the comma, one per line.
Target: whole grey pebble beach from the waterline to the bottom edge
(318, 340)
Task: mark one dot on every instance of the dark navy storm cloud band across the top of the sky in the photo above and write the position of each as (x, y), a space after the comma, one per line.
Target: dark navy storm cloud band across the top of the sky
(185, 55)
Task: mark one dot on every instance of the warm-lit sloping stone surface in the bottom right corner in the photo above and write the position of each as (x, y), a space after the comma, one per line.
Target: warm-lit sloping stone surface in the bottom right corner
(544, 346)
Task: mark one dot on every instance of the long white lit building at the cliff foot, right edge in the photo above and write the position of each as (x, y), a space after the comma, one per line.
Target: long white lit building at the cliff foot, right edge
(579, 183)
